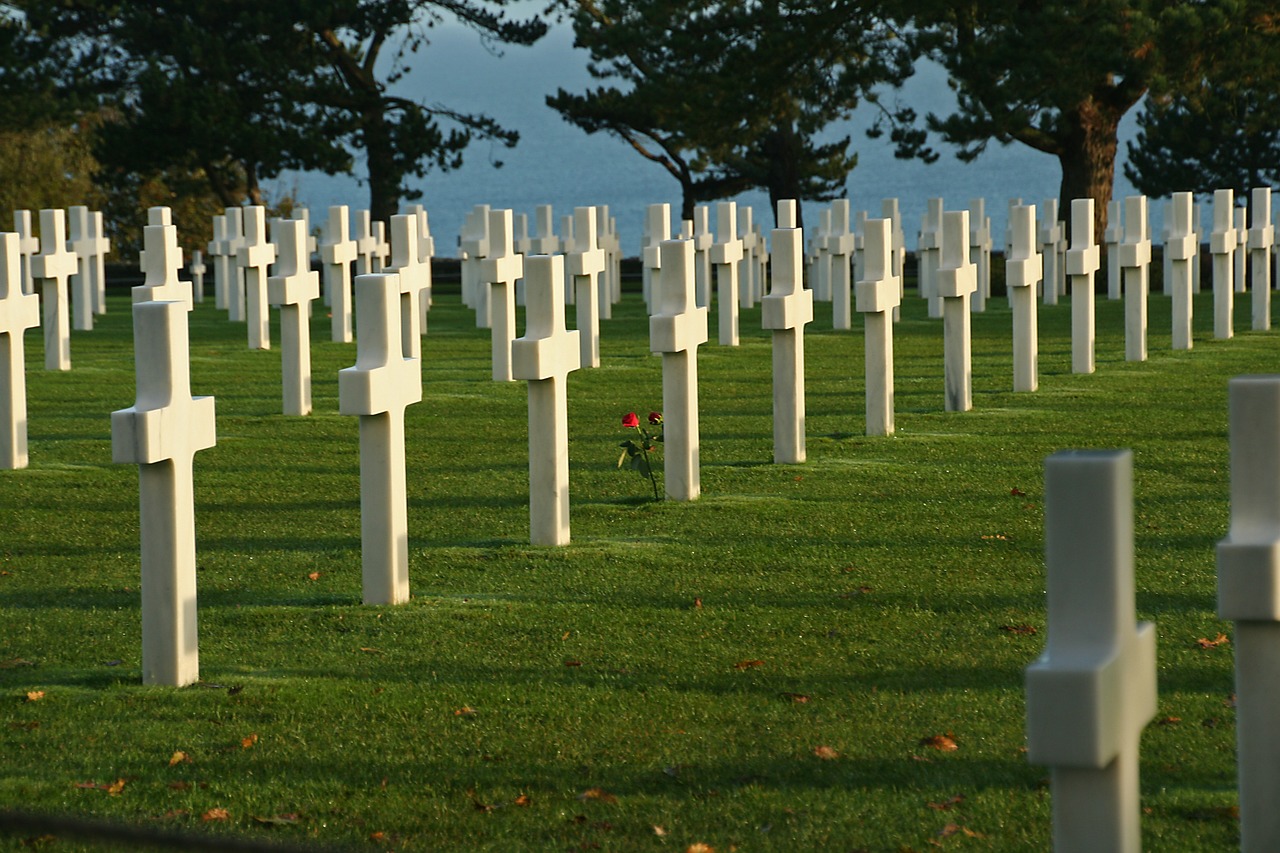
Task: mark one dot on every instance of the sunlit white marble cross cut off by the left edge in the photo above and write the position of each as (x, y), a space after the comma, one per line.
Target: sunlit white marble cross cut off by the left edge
(19, 313)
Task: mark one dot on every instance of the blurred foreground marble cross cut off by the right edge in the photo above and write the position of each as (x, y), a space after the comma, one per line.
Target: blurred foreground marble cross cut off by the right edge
(1249, 576)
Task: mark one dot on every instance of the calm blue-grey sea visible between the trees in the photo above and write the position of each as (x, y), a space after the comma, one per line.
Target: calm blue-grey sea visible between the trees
(556, 163)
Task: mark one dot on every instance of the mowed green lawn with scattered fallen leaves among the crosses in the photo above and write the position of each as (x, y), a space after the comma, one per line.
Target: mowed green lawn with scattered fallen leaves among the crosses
(760, 670)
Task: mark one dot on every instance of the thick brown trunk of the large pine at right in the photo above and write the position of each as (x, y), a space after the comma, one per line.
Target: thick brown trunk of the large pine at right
(1089, 161)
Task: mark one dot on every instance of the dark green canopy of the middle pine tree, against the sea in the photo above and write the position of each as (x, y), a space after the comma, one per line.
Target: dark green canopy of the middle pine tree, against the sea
(732, 95)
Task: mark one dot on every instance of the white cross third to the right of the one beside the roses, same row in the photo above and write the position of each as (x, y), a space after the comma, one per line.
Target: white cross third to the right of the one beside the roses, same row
(957, 281)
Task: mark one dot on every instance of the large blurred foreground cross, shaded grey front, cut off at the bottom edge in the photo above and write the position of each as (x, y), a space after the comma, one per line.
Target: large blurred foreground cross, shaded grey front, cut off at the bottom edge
(1094, 690)
